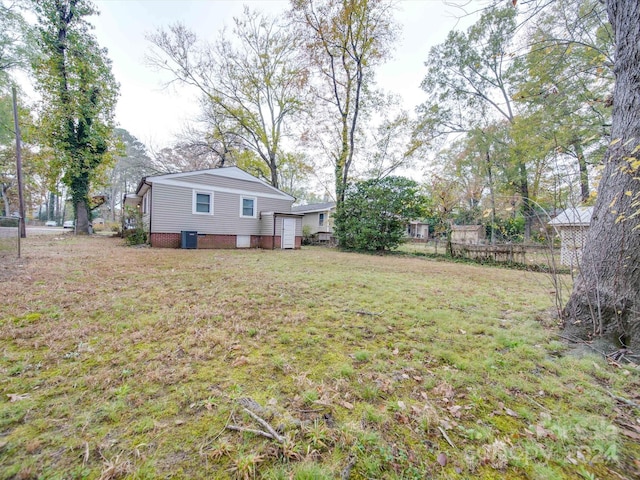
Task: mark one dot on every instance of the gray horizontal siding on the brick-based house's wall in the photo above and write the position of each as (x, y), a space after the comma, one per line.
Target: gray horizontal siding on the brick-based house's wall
(172, 212)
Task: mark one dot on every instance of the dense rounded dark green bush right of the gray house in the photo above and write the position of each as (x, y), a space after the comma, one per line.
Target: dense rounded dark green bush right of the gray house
(375, 213)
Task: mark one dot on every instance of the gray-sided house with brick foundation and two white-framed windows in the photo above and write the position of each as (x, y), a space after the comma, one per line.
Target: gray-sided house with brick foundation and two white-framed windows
(215, 208)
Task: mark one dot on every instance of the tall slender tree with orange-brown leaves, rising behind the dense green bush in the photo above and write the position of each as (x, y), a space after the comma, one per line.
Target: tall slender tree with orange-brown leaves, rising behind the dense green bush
(345, 41)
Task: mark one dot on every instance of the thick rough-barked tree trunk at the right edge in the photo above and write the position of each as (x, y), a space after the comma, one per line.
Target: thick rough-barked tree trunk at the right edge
(606, 295)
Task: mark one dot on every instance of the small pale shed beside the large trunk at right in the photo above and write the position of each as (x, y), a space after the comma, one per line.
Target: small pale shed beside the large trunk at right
(572, 224)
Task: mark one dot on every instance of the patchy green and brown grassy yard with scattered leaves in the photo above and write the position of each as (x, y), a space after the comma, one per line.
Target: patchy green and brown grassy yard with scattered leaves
(122, 362)
